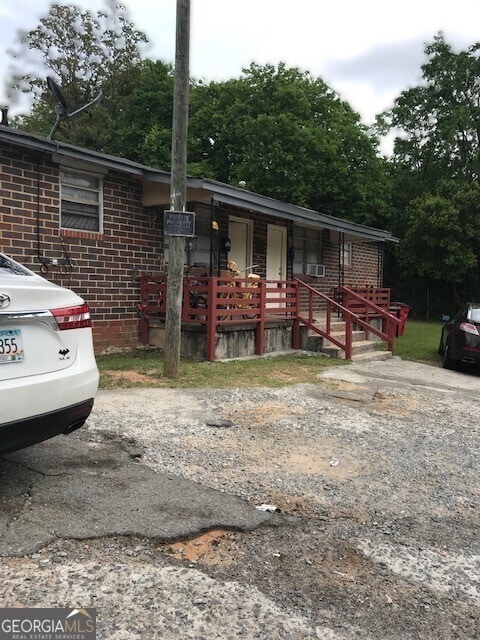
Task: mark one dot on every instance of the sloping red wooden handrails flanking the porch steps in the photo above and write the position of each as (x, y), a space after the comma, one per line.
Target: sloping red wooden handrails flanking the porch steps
(351, 320)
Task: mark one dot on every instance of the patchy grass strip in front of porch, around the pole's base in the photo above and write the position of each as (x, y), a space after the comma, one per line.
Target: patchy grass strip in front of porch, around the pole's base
(145, 369)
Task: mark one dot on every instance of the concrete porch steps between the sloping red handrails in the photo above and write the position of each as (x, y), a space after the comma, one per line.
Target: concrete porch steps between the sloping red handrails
(362, 349)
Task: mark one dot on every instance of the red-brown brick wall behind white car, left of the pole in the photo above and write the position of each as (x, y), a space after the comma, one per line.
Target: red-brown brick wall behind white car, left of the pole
(105, 266)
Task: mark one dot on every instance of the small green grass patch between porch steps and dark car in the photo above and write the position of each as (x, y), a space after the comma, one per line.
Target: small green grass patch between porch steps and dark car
(419, 342)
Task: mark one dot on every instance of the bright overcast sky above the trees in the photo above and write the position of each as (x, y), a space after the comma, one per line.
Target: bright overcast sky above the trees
(367, 51)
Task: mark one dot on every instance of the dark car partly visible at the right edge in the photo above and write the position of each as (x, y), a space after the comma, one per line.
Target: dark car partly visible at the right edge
(460, 339)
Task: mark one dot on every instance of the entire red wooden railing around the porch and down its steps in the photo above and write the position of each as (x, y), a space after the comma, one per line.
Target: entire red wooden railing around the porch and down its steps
(225, 301)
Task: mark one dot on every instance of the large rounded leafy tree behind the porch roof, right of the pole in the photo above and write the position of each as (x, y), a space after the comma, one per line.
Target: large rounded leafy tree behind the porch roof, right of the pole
(289, 136)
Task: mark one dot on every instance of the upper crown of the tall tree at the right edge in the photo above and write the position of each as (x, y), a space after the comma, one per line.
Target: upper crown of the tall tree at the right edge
(439, 120)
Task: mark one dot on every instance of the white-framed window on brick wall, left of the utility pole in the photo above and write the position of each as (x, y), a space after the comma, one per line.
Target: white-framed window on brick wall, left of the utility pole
(81, 200)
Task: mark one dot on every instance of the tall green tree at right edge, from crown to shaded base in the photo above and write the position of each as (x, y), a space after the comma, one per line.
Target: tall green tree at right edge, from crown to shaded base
(438, 125)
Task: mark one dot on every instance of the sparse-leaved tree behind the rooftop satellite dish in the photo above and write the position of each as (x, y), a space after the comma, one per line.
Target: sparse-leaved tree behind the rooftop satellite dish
(84, 52)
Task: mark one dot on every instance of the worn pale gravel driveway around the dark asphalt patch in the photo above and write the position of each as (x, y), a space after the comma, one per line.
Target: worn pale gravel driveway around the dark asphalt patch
(374, 475)
